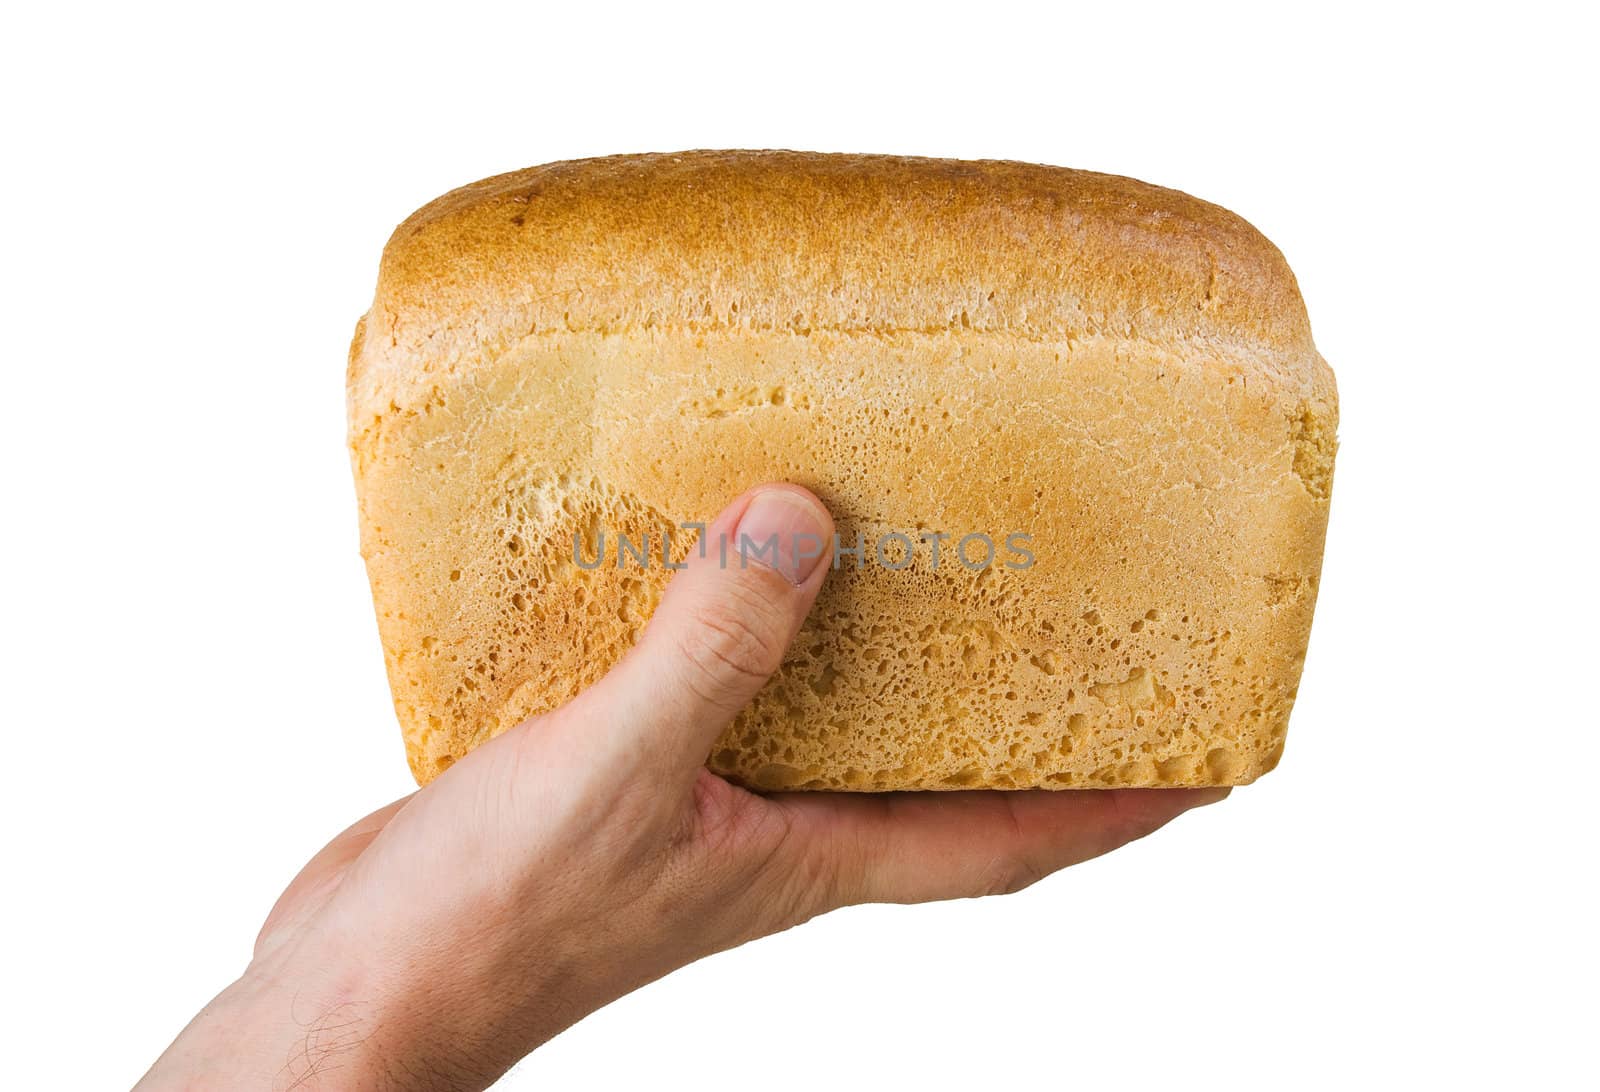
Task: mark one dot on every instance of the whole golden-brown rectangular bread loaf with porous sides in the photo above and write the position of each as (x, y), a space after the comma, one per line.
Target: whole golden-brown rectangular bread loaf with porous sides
(625, 345)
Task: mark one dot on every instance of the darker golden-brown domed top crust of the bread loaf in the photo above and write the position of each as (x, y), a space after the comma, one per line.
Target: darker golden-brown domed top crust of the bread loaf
(801, 241)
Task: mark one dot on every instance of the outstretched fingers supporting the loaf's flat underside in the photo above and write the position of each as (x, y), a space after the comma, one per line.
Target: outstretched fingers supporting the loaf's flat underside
(911, 848)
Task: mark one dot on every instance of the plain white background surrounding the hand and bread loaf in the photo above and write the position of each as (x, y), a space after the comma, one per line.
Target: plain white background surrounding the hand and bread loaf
(194, 694)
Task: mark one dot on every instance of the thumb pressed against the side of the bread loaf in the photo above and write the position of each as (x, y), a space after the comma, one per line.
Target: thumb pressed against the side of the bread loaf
(722, 628)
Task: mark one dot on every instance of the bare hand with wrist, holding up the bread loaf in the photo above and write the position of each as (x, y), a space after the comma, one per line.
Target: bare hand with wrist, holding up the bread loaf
(588, 853)
